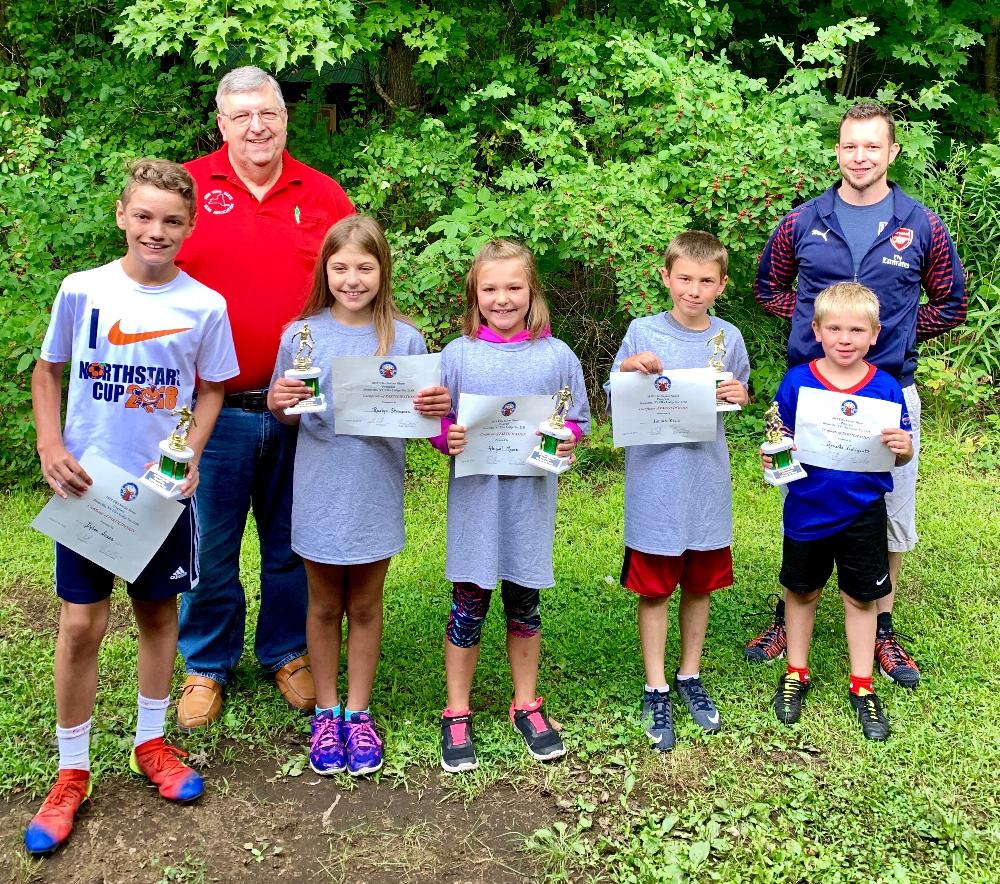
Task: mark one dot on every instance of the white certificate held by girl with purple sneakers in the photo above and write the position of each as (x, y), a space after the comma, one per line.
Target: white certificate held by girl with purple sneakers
(373, 395)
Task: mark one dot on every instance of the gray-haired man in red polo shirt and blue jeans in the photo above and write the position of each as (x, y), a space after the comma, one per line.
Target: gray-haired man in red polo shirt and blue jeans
(262, 216)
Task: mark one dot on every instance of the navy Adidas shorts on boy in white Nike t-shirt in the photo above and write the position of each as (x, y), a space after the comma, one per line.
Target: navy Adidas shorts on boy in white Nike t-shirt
(172, 570)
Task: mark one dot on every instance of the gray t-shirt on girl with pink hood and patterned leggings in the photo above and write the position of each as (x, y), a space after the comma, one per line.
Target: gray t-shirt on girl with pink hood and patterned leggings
(502, 527)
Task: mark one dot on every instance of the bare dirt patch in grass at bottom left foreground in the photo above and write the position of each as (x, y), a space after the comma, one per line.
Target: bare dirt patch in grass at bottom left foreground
(251, 827)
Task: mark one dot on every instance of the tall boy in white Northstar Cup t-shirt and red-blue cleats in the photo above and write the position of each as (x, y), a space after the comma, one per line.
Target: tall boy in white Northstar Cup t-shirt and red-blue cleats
(135, 333)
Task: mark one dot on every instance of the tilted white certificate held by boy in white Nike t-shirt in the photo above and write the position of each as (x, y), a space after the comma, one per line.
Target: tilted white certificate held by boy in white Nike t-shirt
(117, 523)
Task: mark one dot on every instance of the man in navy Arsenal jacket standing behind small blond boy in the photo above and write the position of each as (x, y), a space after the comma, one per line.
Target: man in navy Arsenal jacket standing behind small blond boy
(866, 229)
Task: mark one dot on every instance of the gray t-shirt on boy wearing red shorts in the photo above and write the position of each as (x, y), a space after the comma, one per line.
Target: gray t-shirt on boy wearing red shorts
(679, 496)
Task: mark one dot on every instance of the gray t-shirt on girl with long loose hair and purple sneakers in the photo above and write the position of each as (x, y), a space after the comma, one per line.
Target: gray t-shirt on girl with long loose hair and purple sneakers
(347, 504)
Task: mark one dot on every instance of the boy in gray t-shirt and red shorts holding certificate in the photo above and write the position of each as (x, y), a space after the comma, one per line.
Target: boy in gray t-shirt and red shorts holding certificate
(678, 497)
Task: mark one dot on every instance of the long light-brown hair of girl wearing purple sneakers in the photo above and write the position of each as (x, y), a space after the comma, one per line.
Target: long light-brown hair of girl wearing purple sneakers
(367, 235)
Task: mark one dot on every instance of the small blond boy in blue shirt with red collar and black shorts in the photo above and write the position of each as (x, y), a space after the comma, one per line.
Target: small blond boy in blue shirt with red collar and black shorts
(837, 516)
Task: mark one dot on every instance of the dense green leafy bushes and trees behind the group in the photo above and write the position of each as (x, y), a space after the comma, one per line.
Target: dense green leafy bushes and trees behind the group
(592, 131)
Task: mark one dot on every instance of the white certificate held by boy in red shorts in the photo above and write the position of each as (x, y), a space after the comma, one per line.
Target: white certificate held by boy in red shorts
(677, 405)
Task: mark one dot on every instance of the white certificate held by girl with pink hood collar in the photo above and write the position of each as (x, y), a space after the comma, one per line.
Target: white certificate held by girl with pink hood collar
(500, 433)
